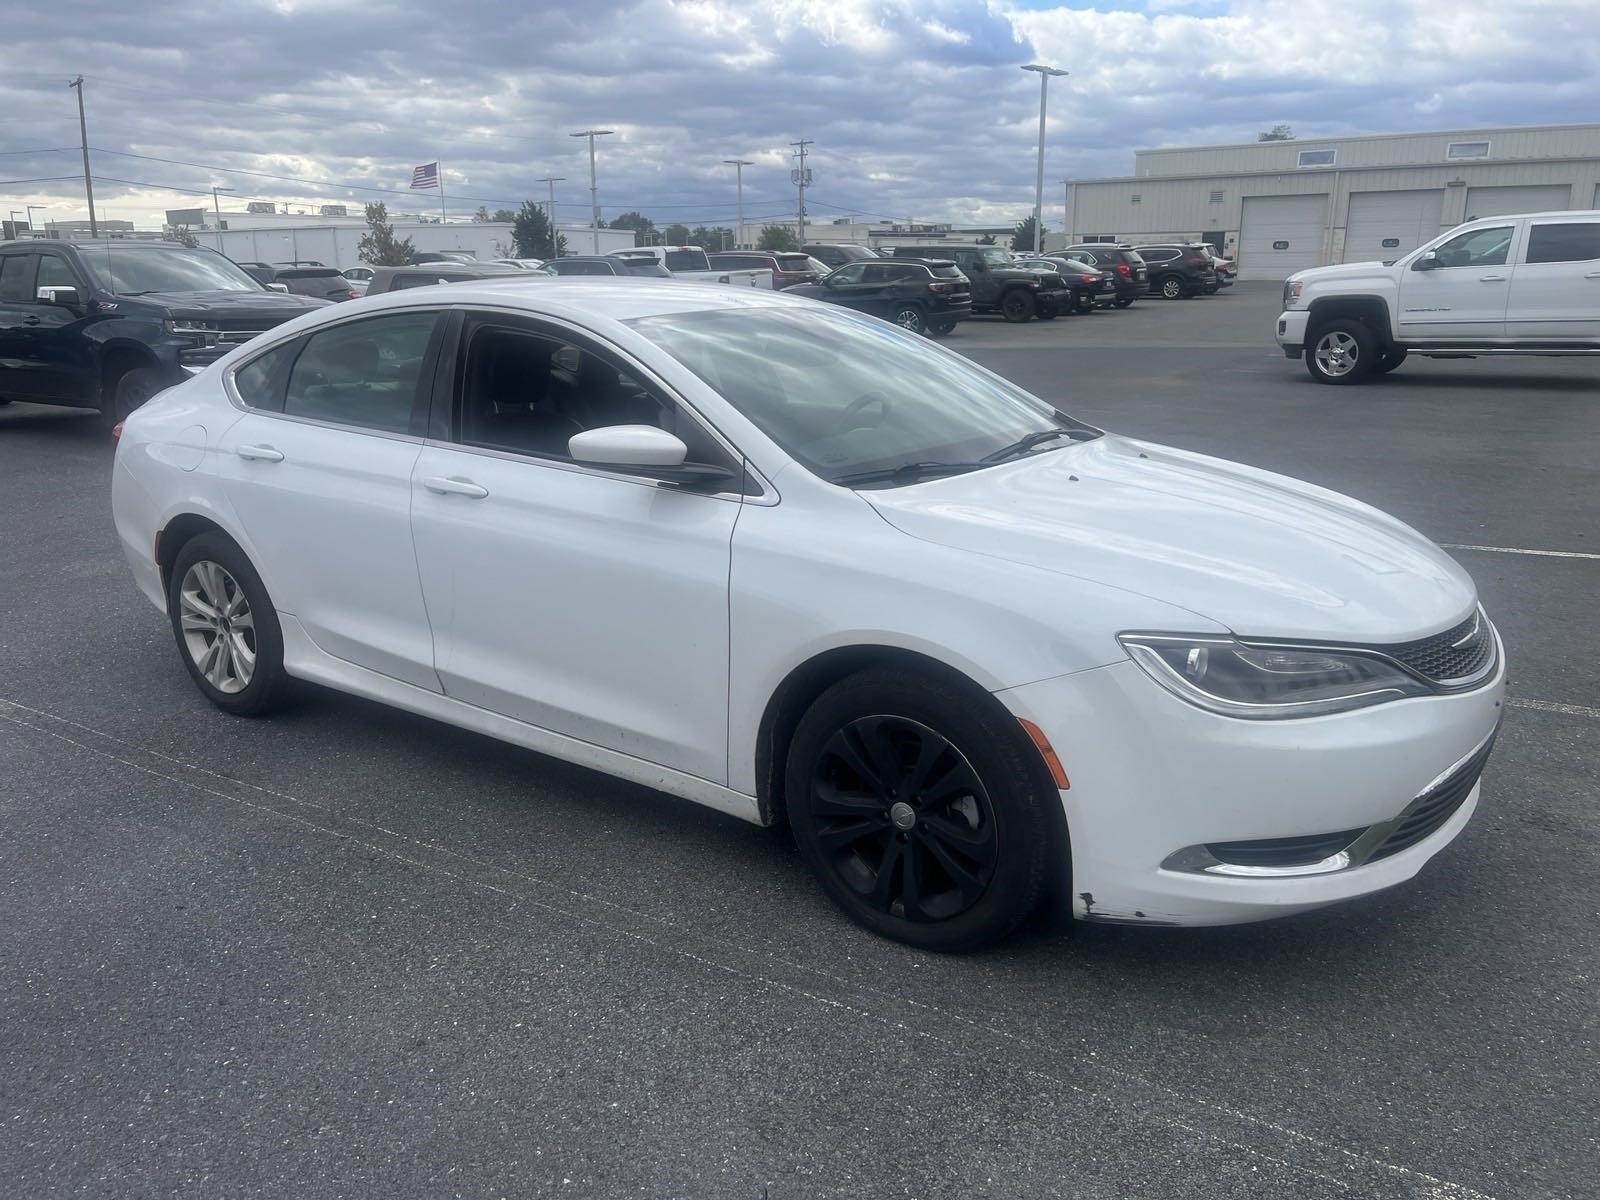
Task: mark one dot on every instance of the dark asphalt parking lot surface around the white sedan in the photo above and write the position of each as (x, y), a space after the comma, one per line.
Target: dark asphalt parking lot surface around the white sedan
(346, 951)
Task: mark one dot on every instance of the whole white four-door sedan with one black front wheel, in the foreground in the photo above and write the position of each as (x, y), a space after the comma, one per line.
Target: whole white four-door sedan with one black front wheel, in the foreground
(799, 566)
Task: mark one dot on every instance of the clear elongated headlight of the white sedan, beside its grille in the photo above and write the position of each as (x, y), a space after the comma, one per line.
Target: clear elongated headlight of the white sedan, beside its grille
(1268, 682)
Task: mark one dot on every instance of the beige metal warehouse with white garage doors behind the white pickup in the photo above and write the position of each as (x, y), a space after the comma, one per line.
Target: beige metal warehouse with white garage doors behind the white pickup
(1281, 207)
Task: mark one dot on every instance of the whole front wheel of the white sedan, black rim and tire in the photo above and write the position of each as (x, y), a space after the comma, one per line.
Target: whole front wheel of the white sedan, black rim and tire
(922, 810)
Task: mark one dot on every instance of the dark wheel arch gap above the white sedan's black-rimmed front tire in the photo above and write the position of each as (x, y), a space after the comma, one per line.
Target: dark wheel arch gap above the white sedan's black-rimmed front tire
(815, 676)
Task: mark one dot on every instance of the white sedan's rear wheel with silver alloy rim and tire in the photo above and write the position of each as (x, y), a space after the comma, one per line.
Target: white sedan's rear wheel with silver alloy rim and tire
(226, 628)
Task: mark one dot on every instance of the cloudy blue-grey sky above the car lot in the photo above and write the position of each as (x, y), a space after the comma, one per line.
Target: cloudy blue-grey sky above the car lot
(918, 108)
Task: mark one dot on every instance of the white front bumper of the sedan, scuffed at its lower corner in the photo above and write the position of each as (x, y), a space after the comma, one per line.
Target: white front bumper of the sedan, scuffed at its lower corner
(1153, 775)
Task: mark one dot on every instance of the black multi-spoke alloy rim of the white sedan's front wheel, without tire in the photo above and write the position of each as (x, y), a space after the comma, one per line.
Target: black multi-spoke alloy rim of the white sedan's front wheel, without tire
(905, 818)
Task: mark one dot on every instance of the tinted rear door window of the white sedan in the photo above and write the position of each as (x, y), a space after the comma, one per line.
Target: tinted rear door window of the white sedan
(362, 374)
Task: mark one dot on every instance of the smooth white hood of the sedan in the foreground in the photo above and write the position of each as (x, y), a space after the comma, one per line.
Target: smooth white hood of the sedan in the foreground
(1260, 554)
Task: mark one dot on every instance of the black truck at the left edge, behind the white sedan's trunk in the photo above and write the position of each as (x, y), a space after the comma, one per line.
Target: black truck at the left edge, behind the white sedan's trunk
(111, 324)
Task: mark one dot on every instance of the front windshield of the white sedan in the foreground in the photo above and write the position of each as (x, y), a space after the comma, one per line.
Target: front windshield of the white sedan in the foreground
(849, 396)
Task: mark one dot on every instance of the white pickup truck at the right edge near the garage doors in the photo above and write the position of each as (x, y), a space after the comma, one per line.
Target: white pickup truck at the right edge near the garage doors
(1498, 286)
